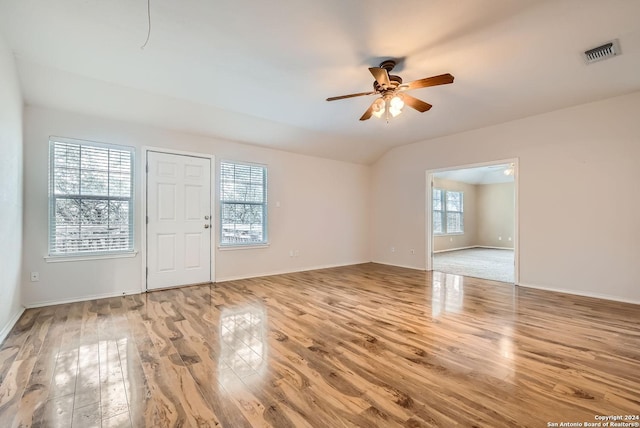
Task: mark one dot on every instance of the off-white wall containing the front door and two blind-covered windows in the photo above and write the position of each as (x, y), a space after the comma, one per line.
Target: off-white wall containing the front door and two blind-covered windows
(322, 213)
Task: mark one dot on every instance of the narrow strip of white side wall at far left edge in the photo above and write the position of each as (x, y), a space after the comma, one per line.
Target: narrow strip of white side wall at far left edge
(10, 191)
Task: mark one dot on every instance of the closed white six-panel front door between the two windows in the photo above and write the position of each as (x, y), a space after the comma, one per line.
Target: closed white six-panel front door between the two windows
(178, 220)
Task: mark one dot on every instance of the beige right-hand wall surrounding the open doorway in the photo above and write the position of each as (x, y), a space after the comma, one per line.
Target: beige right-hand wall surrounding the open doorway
(579, 202)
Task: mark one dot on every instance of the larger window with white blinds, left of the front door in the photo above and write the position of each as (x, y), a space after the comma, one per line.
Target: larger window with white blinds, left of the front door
(90, 198)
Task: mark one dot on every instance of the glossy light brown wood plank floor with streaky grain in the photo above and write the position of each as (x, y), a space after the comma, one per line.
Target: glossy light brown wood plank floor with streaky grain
(366, 345)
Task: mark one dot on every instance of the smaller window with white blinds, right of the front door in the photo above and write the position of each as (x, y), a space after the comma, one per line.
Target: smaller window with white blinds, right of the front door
(243, 204)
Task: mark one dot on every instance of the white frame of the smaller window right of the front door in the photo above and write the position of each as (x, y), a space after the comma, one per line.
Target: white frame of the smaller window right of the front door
(265, 237)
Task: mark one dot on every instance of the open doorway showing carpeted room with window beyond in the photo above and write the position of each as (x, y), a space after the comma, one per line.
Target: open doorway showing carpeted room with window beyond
(472, 220)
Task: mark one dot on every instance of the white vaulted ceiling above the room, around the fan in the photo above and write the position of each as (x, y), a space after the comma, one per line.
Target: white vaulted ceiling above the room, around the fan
(259, 72)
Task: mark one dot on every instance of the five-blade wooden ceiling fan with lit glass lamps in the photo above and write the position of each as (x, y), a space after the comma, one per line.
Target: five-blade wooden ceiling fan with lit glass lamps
(392, 91)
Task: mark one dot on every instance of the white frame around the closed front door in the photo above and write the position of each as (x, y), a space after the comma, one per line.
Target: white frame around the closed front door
(143, 210)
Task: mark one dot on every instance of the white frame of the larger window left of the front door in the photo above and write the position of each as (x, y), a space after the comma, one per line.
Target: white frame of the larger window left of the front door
(54, 255)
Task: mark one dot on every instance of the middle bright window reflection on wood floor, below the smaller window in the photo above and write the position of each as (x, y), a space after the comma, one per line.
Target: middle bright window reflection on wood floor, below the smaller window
(243, 345)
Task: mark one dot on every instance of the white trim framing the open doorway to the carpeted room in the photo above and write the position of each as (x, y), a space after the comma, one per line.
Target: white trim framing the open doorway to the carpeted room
(429, 213)
